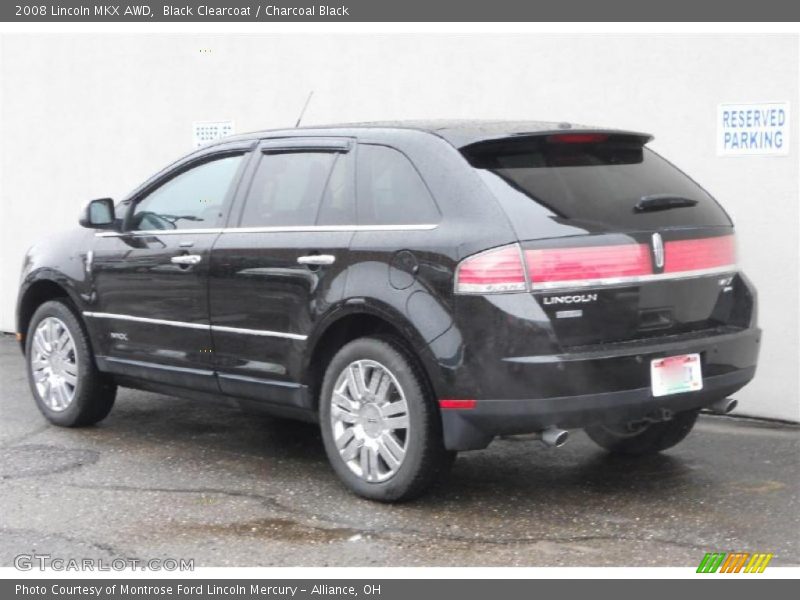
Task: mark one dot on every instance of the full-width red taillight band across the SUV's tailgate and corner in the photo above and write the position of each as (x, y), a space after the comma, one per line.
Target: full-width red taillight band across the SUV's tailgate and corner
(510, 269)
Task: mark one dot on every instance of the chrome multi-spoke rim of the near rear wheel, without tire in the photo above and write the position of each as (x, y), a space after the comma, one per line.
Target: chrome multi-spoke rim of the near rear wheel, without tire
(369, 417)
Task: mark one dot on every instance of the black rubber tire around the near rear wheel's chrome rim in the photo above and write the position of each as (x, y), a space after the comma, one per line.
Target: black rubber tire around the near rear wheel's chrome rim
(426, 459)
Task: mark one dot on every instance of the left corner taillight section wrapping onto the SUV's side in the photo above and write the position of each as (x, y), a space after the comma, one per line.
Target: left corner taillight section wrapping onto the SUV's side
(498, 270)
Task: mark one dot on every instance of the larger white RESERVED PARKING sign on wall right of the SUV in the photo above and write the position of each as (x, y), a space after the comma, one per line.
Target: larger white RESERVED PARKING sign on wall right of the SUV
(753, 129)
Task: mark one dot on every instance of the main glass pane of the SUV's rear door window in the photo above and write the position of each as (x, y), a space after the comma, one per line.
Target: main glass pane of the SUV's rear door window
(287, 189)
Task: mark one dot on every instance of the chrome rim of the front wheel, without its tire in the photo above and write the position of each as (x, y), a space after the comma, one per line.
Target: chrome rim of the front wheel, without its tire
(54, 363)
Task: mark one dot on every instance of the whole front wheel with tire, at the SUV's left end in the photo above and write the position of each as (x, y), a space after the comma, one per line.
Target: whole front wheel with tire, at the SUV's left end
(67, 387)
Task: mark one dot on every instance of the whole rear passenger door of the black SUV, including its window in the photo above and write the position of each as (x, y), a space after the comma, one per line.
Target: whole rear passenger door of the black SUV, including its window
(280, 265)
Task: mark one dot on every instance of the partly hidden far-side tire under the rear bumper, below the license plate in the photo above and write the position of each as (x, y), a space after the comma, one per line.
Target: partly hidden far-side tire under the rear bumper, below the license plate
(643, 438)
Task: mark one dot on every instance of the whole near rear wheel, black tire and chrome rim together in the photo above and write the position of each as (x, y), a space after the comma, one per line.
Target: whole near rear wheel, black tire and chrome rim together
(380, 426)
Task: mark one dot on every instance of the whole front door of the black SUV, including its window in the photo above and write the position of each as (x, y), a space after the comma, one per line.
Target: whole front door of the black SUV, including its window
(151, 279)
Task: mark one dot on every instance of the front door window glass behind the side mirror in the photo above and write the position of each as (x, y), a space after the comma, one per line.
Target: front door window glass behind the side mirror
(193, 199)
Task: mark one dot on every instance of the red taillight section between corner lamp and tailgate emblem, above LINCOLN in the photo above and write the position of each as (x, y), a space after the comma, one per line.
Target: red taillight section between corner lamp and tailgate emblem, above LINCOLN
(553, 266)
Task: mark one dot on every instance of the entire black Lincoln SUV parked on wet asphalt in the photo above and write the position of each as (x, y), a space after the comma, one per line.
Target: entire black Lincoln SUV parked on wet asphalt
(416, 288)
